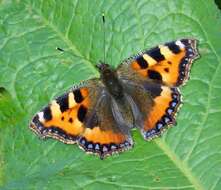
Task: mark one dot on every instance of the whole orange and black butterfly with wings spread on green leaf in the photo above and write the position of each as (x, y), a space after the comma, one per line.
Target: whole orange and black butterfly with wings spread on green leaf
(142, 92)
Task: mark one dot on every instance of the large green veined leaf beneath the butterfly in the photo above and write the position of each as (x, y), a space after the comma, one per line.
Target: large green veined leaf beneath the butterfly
(33, 72)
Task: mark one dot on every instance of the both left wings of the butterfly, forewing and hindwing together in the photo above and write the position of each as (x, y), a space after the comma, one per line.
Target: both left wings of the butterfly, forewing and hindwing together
(81, 116)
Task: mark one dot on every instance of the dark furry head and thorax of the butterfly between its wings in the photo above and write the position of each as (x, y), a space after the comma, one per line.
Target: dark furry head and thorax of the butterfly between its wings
(110, 80)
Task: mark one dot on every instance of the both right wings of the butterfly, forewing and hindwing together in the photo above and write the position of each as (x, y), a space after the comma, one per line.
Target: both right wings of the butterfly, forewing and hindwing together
(160, 71)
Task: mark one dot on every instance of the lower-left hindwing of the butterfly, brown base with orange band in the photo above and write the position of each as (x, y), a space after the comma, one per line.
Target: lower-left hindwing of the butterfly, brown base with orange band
(105, 137)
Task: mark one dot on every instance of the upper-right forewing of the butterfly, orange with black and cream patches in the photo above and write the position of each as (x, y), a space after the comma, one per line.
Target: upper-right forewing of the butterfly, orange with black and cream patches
(169, 63)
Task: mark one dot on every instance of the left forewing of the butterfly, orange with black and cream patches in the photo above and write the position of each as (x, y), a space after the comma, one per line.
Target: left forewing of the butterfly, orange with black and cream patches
(62, 118)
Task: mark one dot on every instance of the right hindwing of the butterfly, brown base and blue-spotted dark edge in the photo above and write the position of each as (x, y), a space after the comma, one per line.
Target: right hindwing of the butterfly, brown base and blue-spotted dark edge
(157, 106)
